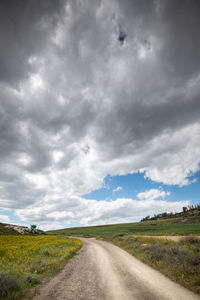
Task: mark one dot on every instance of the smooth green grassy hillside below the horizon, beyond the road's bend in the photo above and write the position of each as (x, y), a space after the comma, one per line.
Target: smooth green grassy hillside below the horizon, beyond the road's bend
(159, 227)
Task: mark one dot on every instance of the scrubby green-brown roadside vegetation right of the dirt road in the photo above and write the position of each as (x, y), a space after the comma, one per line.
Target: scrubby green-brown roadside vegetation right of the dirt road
(180, 260)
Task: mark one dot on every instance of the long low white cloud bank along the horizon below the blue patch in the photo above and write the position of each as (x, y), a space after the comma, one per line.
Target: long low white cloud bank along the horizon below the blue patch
(93, 212)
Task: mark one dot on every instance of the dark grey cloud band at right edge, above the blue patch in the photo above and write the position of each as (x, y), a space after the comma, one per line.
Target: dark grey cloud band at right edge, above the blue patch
(142, 121)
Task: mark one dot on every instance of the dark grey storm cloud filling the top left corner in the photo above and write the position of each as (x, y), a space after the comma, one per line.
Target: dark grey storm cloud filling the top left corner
(25, 27)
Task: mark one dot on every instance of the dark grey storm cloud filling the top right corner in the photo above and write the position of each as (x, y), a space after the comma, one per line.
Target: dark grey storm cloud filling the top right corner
(176, 23)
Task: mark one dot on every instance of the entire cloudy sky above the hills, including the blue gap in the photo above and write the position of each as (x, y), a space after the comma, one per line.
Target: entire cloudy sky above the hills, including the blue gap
(99, 110)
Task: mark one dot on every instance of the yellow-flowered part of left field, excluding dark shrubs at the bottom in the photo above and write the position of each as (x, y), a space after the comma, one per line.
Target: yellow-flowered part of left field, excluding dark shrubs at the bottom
(39, 255)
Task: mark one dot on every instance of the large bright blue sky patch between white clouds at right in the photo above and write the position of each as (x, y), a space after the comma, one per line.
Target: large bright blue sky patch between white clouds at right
(128, 186)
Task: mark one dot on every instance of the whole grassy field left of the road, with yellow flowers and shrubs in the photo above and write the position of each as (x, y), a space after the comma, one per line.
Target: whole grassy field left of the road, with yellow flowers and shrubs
(27, 260)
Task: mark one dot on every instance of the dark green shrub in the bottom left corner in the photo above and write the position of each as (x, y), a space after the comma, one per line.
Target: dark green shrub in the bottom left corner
(8, 285)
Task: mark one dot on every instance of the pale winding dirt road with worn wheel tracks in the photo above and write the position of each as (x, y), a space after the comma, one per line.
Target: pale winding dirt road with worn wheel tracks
(104, 271)
